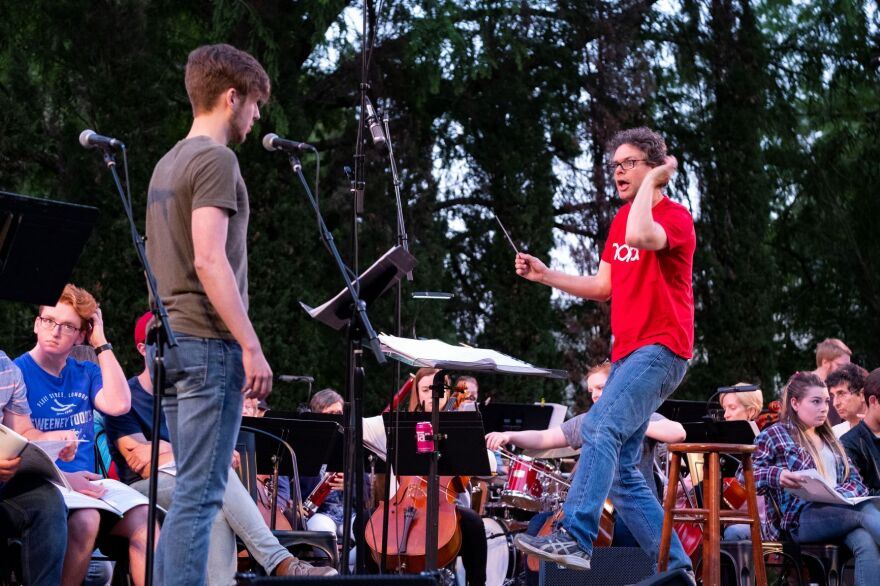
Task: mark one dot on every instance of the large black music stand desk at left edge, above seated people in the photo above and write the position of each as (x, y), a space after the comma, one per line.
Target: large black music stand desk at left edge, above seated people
(33, 267)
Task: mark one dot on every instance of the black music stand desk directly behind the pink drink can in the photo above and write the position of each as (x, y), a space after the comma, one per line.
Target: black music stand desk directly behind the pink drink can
(462, 453)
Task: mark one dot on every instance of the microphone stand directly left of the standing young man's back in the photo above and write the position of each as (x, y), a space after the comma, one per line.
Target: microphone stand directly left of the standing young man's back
(162, 335)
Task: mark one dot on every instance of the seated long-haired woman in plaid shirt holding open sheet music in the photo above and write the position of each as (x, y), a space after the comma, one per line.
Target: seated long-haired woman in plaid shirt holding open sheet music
(803, 440)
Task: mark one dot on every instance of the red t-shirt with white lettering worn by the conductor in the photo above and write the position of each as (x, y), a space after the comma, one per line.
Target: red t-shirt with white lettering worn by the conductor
(652, 298)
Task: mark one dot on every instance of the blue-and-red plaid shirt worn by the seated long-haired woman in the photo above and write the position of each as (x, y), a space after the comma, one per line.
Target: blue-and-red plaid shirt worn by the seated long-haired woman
(777, 451)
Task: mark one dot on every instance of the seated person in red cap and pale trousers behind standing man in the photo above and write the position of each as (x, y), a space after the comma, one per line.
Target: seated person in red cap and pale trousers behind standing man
(130, 438)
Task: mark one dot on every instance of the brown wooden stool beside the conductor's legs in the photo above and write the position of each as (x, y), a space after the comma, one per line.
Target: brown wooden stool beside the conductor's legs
(711, 516)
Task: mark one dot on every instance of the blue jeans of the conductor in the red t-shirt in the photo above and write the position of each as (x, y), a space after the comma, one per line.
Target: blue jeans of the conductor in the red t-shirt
(612, 433)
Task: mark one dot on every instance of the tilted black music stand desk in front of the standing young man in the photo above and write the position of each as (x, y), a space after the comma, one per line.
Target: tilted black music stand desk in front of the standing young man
(377, 279)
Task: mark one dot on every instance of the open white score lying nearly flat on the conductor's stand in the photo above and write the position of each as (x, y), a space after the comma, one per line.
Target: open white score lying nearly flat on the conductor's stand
(437, 354)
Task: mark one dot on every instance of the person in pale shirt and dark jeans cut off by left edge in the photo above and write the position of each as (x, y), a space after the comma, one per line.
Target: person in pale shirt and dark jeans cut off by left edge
(31, 508)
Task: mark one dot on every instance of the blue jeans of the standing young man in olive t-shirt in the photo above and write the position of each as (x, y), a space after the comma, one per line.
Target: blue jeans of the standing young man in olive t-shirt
(202, 406)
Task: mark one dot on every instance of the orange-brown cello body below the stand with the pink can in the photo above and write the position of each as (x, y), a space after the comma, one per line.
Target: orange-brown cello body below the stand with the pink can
(407, 523)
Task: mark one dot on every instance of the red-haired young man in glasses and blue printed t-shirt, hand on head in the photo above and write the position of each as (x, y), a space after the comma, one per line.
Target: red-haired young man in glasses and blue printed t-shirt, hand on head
(62, 394)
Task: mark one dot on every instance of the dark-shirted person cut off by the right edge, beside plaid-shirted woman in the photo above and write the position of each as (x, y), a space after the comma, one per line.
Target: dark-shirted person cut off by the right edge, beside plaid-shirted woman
(862, 442)
